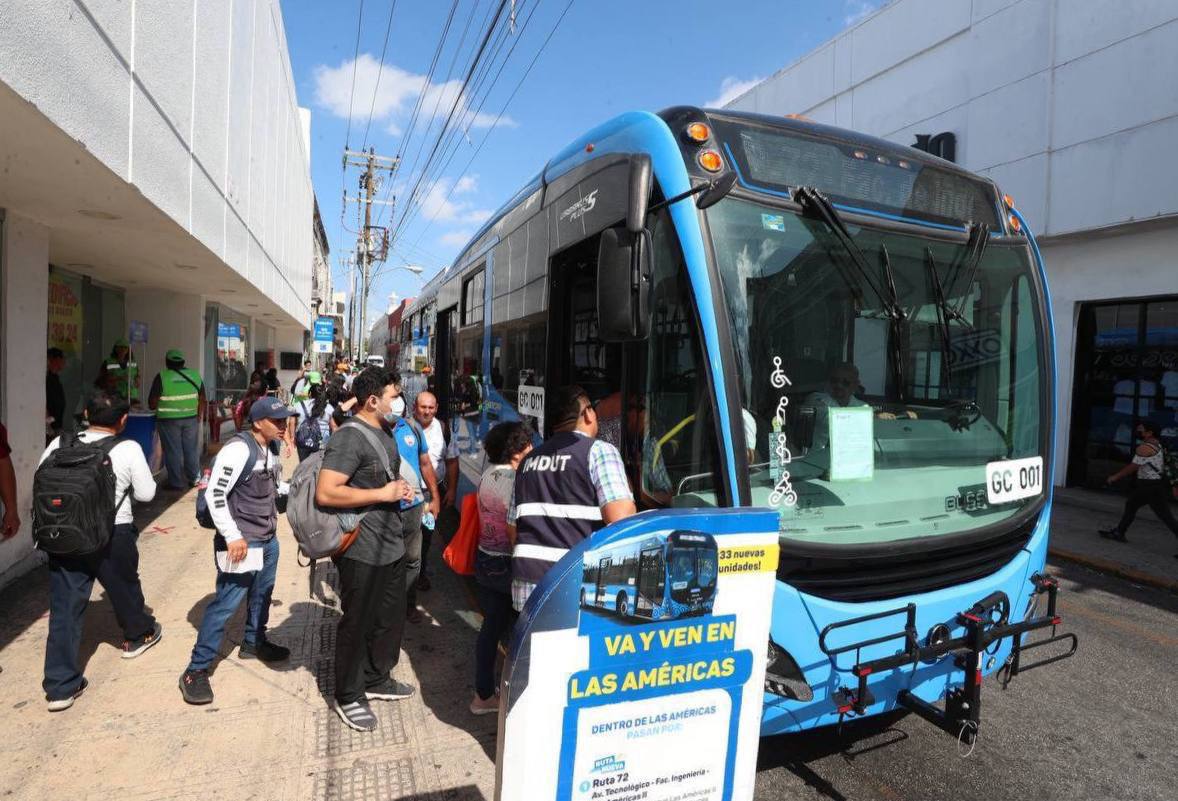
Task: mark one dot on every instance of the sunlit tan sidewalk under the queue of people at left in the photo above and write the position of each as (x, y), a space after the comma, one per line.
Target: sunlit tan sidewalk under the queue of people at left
(270, 734)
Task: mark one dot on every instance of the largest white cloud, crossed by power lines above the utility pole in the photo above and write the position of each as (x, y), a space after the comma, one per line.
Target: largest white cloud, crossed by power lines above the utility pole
(396, 95)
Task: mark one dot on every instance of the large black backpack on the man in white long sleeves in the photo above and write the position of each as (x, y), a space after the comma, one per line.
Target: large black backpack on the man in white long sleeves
(74, 498)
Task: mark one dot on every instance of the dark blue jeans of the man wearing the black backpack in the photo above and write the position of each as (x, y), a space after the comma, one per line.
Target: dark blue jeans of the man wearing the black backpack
(71, 580)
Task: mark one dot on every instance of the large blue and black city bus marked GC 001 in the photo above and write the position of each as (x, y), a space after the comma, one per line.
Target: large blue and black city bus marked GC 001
(778, 315)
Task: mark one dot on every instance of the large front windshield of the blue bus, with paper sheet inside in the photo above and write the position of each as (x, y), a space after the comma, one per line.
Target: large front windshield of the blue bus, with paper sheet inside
(894, 387)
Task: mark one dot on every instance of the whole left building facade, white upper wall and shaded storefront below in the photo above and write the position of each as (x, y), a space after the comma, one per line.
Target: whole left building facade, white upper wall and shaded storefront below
(156, 188)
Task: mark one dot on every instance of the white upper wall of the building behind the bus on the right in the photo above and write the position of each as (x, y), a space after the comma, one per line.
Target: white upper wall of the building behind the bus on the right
(1073, 108)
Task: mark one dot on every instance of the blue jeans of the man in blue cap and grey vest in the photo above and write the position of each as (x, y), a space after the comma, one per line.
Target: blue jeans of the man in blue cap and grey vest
(231, 588)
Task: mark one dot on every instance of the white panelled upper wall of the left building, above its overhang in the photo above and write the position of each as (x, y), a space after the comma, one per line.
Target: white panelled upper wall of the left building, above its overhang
(194, 103)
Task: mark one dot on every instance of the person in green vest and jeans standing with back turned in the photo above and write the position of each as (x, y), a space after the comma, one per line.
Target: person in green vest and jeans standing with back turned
(178, 399)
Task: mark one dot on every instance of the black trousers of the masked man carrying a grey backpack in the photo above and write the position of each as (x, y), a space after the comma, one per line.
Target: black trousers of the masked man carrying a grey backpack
(368, 640)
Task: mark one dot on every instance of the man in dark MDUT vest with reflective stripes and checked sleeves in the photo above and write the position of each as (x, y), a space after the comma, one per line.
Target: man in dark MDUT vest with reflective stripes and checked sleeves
(565, 491)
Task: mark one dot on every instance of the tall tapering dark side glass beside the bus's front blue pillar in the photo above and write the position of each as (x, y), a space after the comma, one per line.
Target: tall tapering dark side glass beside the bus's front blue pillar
(679, 455)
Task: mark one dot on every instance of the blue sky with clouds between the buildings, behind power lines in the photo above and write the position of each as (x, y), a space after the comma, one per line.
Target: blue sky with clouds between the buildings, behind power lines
(606, 57)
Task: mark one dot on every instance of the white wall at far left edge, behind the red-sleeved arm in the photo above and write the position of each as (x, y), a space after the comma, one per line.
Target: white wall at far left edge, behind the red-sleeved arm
(24, 270)
